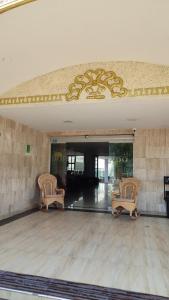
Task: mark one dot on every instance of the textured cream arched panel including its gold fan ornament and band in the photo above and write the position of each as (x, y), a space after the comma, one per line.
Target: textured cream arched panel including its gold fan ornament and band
(92, 81)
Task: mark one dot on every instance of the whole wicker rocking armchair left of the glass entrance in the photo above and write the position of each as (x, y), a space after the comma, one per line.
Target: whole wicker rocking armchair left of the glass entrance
(49, 193)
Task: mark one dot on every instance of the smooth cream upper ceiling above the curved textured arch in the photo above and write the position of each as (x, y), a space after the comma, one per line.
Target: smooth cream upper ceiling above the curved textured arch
(47, 35)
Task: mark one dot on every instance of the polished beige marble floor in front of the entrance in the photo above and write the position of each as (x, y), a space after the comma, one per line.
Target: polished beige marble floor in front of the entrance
(90, 248)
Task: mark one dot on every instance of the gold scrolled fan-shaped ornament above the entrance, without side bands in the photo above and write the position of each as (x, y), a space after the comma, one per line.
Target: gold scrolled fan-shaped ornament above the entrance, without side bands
(94, 83)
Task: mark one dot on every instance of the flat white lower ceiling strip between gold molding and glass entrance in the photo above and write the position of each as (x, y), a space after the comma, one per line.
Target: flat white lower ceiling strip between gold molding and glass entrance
(151, 112)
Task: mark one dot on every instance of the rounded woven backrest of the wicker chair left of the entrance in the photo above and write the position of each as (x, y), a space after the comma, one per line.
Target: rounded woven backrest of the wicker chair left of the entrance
(47, 183)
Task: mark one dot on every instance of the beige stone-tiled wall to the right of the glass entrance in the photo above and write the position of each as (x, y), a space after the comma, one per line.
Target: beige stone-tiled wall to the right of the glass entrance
(151, 164)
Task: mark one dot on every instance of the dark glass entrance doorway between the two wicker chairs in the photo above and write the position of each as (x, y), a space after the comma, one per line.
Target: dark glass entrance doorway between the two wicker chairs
(90, 171)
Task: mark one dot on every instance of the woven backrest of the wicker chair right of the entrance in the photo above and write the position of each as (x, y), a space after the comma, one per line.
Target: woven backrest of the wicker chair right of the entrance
(129, 189)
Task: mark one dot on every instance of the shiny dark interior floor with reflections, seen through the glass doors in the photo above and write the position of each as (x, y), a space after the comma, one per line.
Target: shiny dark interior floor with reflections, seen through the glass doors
(97, 197)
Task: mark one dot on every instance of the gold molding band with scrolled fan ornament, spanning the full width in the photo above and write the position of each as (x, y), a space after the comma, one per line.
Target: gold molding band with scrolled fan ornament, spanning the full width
(92, 85)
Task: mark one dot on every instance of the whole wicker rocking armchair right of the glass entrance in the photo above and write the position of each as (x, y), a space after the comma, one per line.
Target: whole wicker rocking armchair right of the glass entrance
(126, 198)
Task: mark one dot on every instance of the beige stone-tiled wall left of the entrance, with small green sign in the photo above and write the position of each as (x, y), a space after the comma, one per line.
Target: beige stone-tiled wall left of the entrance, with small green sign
(18, 172)
